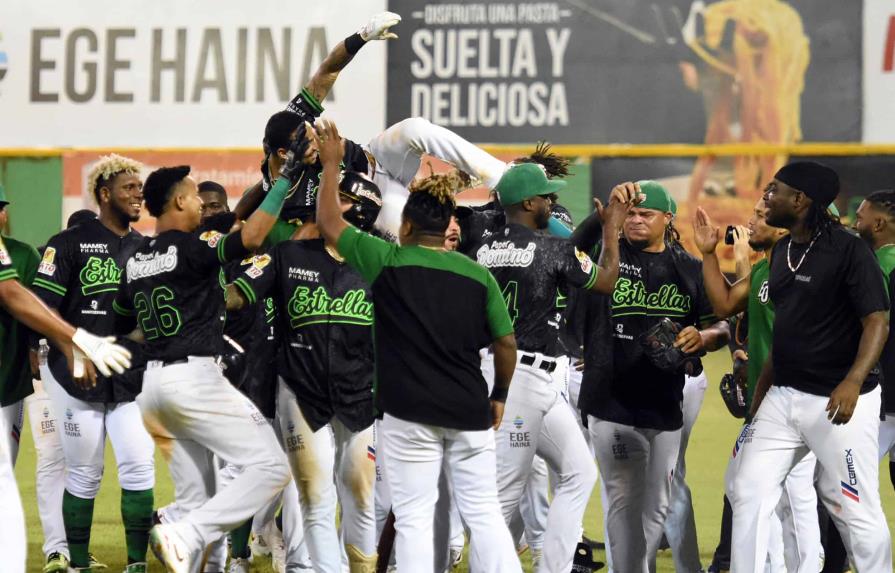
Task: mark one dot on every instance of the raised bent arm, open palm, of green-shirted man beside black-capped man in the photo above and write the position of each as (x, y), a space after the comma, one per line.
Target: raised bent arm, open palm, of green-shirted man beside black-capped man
(726, 299)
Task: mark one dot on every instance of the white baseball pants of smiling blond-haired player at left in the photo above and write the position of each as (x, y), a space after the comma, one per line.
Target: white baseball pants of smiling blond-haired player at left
(84, 429)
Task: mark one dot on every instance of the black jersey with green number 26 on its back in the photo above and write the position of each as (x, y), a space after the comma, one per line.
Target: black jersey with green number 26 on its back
(171, 288)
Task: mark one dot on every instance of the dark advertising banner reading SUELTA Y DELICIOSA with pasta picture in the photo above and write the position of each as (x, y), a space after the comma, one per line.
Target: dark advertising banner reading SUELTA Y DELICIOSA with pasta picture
(600, 71)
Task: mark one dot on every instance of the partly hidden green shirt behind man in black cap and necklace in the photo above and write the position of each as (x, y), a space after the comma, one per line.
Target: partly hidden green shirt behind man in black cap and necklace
(761, 325)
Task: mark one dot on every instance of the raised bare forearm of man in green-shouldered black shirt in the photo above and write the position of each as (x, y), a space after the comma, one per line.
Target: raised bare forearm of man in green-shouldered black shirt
(329, 210)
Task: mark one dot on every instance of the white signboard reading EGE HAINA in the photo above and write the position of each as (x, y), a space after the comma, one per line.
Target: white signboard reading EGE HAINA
(201, 73)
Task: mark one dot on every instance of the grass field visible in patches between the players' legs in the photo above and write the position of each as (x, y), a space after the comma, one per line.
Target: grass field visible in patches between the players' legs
(709, 448)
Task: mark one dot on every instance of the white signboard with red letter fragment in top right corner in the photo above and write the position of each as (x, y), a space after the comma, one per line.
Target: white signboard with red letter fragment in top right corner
(879, 71)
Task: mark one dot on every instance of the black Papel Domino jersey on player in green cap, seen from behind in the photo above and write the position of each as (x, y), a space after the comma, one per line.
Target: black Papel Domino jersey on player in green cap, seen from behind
(530, 268)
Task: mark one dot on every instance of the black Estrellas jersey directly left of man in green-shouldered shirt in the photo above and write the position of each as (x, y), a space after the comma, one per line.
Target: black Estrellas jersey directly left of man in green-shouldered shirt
(325, 324)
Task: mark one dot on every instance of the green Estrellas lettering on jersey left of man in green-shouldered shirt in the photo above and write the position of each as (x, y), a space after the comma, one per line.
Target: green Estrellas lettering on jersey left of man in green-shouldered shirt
(312, 307)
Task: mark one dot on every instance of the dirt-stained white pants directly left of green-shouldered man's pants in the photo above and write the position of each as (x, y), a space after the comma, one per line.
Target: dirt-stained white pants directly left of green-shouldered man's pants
(332, 466)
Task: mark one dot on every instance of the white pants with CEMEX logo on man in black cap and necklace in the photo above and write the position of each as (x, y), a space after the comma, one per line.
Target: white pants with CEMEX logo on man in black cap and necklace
(788, 425)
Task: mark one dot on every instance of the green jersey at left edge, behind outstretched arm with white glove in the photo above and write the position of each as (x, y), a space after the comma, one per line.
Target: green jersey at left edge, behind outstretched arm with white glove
(15, 369)
